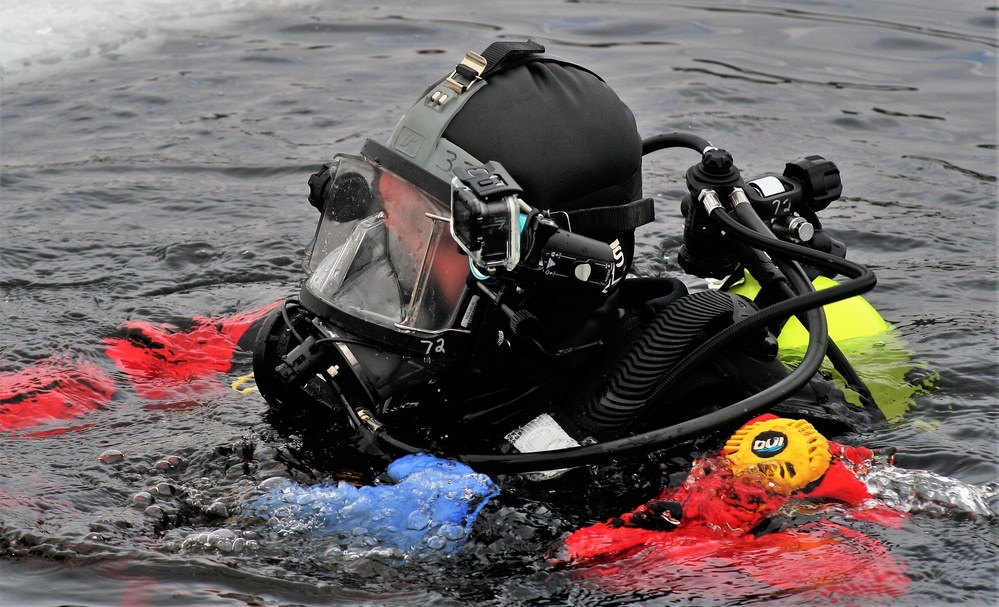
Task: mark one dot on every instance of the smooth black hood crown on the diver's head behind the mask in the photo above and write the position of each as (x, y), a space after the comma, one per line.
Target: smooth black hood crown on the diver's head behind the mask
(560, 131)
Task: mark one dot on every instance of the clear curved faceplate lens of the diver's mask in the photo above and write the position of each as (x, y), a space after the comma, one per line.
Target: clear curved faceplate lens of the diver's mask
(383, 251)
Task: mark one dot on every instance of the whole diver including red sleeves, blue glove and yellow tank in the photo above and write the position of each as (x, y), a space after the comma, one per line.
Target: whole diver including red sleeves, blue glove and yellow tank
(469, 306)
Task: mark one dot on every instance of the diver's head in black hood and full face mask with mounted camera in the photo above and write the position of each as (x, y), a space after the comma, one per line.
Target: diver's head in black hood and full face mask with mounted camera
(485, 188)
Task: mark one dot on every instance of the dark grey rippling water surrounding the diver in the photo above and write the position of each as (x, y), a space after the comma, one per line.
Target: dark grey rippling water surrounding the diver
(170, 182)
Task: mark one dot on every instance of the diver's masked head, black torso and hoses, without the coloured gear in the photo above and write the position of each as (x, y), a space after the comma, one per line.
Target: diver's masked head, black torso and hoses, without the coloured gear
(468, 290)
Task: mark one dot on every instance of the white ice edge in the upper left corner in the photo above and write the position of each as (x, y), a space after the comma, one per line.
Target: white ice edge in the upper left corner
(39, 36)
